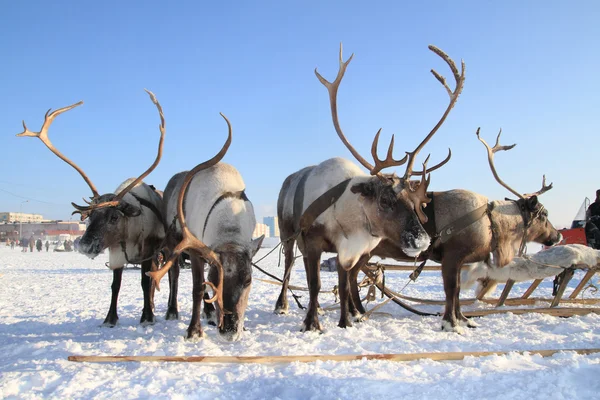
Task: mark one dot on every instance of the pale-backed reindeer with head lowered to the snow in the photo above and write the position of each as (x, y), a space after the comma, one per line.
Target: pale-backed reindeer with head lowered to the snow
(221, 220)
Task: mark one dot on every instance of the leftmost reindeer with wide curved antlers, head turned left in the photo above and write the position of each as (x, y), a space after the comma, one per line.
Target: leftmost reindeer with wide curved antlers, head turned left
(128, 222)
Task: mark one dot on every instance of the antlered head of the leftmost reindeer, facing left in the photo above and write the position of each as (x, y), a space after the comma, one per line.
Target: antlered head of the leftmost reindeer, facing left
(109, 214)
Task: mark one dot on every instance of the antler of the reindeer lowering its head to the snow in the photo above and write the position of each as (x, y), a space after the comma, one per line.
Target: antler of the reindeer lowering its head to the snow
(190, 242)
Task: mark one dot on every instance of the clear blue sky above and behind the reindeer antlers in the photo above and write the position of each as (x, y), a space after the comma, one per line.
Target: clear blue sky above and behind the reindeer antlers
(532, 70)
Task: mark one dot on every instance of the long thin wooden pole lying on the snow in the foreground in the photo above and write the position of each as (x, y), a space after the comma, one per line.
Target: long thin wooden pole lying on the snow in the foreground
(333, 357)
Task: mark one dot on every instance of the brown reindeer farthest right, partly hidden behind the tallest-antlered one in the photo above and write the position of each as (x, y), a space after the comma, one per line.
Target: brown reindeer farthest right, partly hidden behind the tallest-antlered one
(497, 228)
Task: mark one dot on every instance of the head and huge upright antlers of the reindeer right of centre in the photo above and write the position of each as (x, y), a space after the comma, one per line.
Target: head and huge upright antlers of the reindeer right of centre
(394, 205)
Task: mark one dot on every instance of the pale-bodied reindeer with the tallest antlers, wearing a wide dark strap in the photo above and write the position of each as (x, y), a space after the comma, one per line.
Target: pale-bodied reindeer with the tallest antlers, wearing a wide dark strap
(365, 210)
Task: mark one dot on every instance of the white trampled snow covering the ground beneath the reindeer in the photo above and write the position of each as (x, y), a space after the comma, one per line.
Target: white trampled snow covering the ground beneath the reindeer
(52, 306)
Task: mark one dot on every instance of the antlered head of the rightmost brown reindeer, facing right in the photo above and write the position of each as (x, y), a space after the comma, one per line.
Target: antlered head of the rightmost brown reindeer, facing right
(537, 227)
